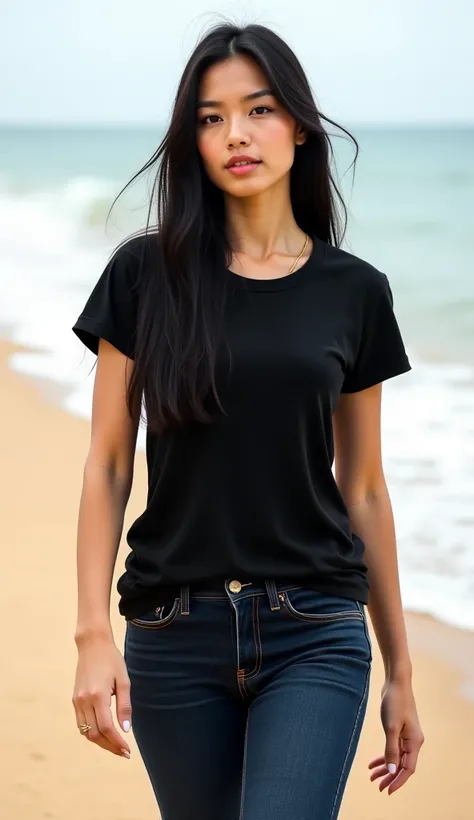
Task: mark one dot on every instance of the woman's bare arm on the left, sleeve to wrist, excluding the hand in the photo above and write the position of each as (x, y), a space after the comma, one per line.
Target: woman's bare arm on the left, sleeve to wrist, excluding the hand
(107, 482)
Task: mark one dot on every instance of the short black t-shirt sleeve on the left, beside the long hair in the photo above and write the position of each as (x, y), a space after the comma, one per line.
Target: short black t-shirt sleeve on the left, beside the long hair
(110, 311)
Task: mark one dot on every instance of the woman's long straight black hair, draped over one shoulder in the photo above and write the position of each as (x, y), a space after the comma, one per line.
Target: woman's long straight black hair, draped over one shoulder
(182, 295)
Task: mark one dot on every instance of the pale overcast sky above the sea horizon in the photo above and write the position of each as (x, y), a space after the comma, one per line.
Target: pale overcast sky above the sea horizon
(119, 61)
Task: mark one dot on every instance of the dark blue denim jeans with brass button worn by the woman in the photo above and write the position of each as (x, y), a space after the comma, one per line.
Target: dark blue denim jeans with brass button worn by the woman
(248, 705)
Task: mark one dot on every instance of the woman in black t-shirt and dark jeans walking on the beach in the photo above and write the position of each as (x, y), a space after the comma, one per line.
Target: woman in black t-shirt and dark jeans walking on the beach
(259, 347)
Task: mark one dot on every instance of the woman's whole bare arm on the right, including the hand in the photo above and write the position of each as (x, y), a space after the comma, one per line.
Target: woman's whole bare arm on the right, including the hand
(361, 482)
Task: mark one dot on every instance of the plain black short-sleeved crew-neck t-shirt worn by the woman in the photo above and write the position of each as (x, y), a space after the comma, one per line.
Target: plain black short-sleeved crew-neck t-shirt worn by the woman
(253, 495)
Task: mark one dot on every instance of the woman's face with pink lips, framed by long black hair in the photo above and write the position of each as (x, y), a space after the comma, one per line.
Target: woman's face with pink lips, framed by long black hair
(228, 124)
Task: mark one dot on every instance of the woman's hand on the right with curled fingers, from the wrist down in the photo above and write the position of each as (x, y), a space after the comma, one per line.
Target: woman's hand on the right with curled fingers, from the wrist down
(404, 737)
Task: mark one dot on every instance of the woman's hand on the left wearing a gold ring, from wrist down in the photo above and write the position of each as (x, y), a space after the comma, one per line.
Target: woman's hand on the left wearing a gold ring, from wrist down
(101, 672)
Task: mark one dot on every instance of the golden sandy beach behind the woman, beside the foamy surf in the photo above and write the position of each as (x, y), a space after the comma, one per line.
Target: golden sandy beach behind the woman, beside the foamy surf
(48, 769)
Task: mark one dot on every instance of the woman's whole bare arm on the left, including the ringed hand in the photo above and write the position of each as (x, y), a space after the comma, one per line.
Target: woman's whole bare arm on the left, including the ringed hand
(107, 482)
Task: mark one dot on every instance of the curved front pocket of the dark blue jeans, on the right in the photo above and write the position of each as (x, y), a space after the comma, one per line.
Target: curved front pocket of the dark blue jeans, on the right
(306, 604)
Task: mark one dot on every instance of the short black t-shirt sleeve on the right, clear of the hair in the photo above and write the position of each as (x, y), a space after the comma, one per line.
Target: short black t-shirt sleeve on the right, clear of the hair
(381, 352)
